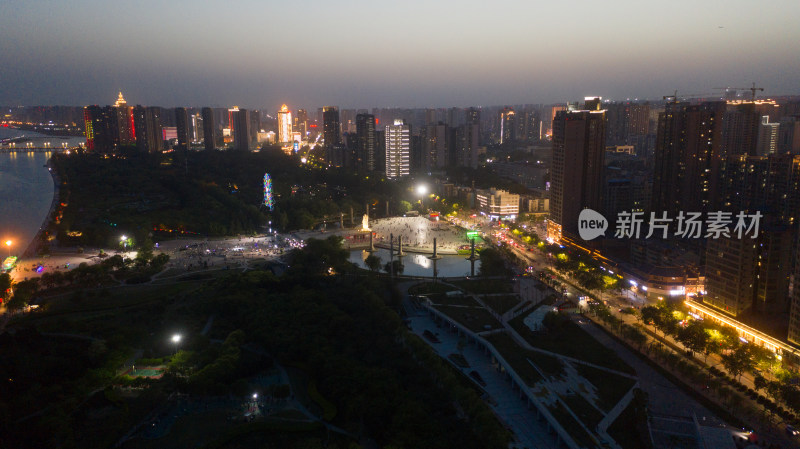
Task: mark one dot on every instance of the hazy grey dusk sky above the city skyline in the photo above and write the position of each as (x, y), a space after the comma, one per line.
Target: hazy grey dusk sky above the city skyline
(371, 53)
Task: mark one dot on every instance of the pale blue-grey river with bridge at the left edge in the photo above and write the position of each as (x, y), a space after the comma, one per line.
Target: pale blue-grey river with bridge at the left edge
(26, 192)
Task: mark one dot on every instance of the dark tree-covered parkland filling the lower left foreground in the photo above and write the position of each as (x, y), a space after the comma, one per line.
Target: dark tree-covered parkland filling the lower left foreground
(340, 337)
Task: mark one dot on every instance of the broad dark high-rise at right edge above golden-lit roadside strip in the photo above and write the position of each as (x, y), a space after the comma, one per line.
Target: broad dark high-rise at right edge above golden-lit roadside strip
(746, 275)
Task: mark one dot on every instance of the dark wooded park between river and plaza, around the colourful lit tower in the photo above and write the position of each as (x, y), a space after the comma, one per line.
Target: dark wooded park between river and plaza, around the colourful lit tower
(211, 193)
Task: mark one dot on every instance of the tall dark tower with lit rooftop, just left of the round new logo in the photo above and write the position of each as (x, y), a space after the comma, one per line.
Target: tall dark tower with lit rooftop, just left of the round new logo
(577, 174)
